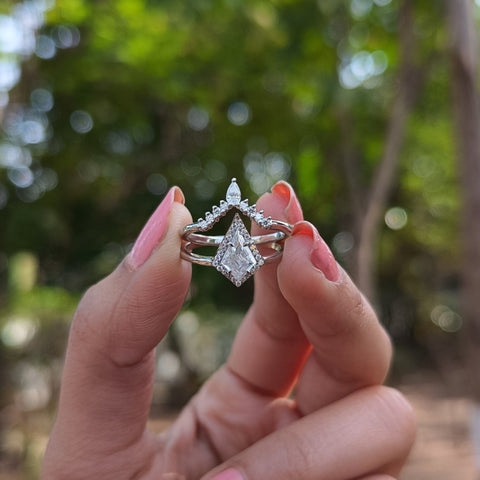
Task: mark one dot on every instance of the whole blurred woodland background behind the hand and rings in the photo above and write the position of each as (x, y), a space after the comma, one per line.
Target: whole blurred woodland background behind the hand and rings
(368, 107)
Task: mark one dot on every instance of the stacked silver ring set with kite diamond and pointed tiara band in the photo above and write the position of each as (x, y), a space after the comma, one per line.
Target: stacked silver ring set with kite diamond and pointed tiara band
(238, 256)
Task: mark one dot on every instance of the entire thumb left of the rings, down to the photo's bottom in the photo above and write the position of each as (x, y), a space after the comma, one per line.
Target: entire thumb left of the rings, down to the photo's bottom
(107, 379)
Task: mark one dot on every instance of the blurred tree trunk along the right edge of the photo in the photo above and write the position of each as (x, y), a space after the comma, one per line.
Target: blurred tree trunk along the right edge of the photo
(466, 107)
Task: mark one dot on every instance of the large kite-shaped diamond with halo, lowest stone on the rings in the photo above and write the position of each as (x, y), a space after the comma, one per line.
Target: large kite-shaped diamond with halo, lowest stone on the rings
(237, 257)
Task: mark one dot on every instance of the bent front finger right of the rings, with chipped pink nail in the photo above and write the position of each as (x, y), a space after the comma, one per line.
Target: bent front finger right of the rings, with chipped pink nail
(351, 349)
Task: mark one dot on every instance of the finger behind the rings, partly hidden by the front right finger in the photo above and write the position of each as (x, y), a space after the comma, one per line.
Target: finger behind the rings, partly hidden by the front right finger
(270, 346)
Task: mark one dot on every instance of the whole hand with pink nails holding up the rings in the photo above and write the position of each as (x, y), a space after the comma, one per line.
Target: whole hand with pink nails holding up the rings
(308, 328)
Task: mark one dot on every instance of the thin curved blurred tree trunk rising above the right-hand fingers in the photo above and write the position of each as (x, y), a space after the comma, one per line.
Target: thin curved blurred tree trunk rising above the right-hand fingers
(384, 181)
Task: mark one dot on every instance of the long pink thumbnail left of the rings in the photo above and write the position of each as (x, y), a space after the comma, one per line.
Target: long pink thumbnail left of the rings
(153, 231)
